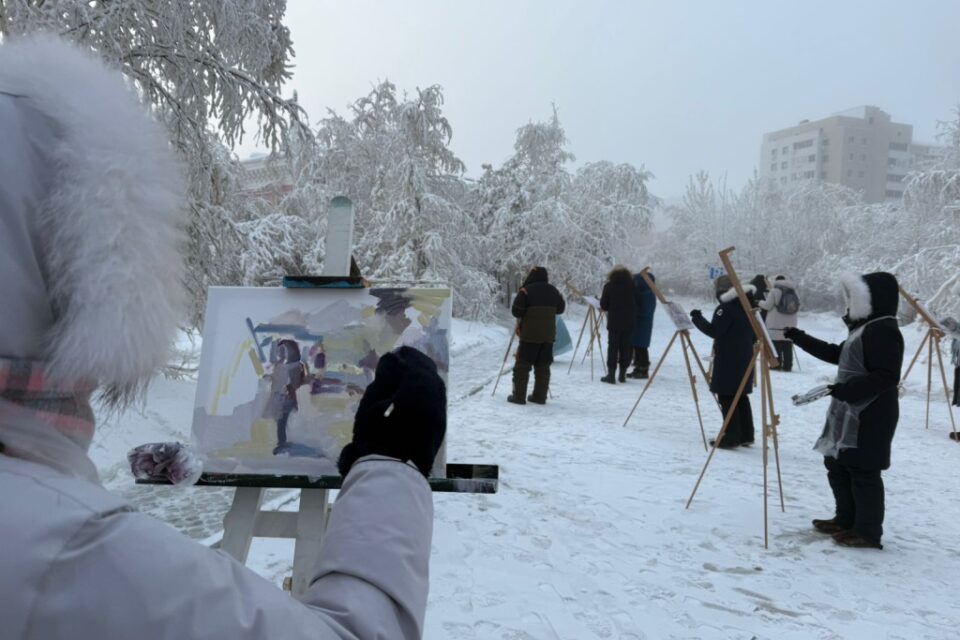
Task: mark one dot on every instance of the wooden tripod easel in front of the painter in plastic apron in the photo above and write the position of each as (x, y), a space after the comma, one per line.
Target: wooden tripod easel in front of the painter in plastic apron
(769, 417)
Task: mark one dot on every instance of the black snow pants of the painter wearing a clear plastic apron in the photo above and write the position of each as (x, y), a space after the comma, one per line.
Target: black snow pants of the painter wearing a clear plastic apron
(859, 496)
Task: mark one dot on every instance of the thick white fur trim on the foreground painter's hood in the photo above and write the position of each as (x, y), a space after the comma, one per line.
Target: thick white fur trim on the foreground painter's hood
(112, 223)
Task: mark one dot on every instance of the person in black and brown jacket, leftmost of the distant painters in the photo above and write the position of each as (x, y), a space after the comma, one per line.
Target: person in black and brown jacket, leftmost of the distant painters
(536, 307)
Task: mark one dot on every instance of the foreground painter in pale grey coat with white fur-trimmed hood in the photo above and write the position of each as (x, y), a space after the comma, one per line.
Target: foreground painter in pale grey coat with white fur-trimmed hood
(91, 224)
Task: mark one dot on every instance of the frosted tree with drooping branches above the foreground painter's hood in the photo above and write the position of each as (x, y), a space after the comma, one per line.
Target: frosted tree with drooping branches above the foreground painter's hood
(208, 68)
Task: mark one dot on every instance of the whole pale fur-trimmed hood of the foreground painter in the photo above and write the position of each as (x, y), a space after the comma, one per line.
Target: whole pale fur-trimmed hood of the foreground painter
(92, 209)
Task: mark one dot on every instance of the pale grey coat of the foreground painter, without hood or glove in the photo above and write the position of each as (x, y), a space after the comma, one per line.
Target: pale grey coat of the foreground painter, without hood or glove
(79, 562)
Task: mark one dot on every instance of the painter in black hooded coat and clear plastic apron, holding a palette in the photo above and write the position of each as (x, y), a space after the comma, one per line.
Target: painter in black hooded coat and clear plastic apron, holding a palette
(864, 408)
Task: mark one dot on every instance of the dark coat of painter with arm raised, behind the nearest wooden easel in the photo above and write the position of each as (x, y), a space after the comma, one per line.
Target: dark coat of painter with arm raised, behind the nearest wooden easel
(733, 340)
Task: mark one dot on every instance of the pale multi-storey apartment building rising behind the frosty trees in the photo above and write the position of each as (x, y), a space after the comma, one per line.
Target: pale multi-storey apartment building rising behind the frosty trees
(861, 148)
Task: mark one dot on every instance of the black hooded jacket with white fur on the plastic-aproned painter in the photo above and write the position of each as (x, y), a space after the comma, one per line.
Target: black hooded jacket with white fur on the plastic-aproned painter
(872, 297)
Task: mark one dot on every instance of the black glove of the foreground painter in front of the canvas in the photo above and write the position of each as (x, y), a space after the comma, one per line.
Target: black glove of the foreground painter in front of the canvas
(403, 413)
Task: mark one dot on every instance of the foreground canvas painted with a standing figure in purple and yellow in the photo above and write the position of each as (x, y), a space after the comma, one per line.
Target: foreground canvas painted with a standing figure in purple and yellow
(282, 370)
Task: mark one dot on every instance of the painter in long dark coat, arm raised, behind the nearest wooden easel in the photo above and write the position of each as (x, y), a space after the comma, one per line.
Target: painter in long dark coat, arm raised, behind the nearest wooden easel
(733, 340)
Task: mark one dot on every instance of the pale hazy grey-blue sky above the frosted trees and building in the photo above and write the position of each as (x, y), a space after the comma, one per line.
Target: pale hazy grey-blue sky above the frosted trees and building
(675, 85)
